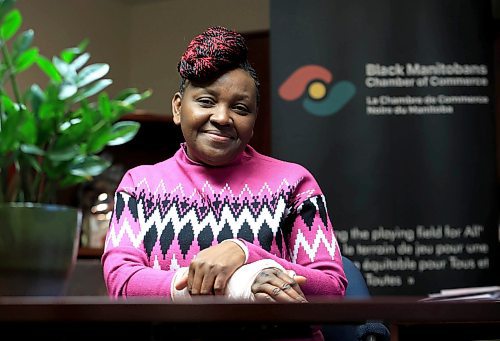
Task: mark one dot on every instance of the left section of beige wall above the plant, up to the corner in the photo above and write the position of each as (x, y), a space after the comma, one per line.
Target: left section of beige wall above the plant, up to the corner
(62, 24)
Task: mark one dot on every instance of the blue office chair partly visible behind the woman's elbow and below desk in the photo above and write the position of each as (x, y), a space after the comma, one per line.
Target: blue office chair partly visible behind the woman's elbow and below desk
(368, 331)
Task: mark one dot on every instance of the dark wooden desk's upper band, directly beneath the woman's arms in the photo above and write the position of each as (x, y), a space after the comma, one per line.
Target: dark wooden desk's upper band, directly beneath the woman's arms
(210, 309)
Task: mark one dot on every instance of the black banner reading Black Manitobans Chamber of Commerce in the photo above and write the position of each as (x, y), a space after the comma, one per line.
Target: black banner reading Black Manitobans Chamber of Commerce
(390, 105)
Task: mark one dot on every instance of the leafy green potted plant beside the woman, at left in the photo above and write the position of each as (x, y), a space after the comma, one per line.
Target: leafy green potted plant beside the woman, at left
(52, 137)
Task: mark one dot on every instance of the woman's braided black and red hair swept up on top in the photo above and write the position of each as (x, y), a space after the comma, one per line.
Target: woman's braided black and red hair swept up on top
(213, 53)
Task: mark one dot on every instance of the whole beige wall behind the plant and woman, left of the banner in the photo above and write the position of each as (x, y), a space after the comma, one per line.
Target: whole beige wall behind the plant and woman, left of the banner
(142, 40)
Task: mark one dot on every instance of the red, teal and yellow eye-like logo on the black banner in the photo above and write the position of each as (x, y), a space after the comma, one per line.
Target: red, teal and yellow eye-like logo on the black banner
(315, 80)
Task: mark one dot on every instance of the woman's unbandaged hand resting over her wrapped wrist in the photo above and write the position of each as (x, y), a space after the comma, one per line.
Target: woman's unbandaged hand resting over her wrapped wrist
(211, 269)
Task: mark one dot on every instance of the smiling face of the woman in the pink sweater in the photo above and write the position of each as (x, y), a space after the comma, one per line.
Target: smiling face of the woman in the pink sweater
(217, 118)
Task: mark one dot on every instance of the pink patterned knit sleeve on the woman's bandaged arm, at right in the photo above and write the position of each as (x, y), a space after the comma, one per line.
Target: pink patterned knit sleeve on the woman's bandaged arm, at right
(312, 247)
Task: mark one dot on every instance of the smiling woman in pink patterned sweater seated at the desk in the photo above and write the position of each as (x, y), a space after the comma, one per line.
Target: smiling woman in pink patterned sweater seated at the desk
(218, 218)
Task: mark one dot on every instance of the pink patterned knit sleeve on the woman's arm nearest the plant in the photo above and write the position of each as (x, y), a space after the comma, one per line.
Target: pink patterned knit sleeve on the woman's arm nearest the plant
(125, 259)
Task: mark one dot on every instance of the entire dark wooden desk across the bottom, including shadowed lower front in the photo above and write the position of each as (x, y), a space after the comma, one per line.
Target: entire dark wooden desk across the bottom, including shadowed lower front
(83, 318)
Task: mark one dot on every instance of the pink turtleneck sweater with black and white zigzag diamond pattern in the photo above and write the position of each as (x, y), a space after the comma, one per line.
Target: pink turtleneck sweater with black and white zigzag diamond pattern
(166, 213)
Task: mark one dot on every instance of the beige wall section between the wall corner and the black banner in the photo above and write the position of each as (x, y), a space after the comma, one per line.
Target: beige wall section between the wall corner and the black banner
(161, 30)
